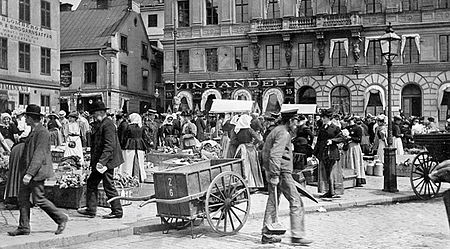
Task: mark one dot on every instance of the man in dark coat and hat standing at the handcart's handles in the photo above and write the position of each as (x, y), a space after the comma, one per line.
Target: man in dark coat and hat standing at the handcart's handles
(106, 155)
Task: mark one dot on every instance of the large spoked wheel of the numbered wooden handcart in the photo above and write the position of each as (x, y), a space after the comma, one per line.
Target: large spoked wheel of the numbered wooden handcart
(227, 203)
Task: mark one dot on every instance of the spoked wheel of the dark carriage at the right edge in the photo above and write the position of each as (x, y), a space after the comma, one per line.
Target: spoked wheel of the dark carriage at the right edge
(423, 164)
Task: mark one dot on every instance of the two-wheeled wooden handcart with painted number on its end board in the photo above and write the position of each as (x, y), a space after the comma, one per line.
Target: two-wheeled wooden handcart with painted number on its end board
(213, 189)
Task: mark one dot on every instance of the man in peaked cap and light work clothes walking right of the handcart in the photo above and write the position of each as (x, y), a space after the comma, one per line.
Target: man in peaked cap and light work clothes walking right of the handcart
(278, 164)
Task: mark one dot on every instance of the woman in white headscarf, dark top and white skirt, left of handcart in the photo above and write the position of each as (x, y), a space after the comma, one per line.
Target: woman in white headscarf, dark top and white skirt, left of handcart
(134, 149)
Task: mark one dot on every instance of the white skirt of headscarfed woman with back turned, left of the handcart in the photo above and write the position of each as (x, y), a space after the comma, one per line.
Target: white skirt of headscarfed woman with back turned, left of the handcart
(134, 164)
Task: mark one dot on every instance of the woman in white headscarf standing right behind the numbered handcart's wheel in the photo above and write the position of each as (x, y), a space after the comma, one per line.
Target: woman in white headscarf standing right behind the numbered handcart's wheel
(246, 138)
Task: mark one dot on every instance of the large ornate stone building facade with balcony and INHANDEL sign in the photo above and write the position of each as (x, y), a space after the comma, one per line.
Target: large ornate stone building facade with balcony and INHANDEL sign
(310, 51)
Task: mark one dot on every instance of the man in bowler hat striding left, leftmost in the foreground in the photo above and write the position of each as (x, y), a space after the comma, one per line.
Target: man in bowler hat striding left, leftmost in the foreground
(36, 167)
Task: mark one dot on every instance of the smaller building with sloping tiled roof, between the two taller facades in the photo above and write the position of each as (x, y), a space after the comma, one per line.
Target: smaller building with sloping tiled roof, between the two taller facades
(106, 55)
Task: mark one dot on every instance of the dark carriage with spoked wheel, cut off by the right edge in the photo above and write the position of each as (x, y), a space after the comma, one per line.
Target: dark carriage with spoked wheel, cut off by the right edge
(438, 150)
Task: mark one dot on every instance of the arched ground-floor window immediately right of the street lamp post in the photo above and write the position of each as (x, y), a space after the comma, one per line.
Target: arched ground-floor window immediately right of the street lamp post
(412, 100)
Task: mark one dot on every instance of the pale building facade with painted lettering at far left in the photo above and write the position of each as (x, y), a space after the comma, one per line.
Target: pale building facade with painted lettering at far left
(29, 54)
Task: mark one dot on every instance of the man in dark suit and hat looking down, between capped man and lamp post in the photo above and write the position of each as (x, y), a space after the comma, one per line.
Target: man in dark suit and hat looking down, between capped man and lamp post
(326, 150)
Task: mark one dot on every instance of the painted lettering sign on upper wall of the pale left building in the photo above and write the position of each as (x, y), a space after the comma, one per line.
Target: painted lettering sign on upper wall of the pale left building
(25, 32)
